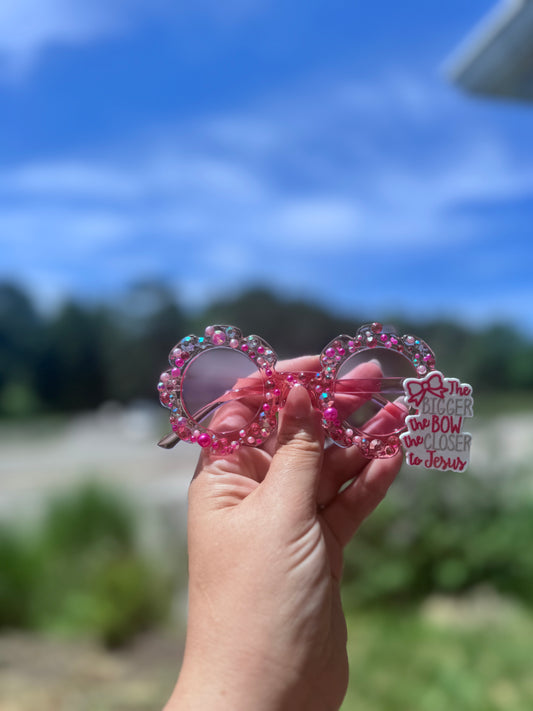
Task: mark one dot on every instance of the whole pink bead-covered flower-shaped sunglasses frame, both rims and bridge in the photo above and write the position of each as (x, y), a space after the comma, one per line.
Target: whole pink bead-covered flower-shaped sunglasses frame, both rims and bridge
(276, 385)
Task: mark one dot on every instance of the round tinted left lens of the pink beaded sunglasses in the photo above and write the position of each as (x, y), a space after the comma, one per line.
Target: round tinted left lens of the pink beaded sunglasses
(223, 389)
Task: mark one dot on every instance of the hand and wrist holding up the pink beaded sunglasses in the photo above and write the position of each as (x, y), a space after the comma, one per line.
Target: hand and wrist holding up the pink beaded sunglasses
(267, 527)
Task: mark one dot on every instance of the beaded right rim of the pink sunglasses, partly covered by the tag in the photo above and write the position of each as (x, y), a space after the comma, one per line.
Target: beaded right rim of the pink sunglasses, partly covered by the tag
(336, 353)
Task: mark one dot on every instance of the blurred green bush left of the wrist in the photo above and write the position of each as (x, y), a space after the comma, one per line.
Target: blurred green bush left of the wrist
(81, 571)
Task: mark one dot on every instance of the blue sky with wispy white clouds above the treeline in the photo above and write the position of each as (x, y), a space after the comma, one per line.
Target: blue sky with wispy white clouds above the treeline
(312, 146)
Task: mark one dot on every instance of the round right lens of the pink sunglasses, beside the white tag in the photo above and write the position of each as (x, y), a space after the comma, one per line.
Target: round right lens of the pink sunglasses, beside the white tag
(369, 396)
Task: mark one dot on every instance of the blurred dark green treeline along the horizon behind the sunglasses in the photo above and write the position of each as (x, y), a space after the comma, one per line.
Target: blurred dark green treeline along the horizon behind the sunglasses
(85, 354)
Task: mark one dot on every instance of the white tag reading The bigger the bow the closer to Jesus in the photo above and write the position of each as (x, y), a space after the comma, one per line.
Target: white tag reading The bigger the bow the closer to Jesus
(435, 437)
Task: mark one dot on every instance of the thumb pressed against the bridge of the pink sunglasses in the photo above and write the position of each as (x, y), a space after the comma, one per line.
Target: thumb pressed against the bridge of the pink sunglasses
(296, 465)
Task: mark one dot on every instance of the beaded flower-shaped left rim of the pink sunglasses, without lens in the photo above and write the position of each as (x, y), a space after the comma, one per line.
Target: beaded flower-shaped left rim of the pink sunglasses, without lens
(171, 380)
